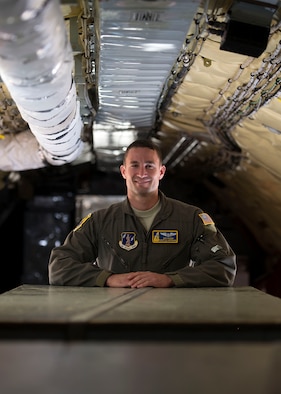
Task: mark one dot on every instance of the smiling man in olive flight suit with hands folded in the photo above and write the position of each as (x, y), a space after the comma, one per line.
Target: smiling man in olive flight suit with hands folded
(146, 240)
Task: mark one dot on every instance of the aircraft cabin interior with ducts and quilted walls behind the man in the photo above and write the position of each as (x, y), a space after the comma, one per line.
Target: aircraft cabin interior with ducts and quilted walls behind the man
(80, 80)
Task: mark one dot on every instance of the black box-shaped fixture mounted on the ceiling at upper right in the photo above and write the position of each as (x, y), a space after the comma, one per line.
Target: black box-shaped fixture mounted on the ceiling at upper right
(247, 27)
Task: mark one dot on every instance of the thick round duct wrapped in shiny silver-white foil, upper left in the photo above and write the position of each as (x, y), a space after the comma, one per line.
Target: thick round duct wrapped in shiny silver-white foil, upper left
(36, 64)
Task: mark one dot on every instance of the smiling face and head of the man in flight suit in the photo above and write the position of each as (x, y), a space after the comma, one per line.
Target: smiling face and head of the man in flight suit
(142, 171)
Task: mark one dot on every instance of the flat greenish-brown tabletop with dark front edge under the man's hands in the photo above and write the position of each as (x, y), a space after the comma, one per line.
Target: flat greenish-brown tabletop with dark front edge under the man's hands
(54, 312)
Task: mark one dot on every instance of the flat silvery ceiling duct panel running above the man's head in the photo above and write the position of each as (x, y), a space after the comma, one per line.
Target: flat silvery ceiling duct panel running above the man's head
(139, 44)
